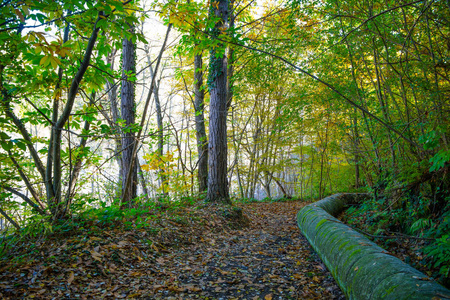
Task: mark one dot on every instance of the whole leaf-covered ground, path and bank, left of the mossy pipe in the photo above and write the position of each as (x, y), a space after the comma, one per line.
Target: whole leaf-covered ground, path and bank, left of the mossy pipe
(193, 252)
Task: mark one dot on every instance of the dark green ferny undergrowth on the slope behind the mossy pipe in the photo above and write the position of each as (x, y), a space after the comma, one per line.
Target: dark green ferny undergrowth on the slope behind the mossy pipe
(417, 229)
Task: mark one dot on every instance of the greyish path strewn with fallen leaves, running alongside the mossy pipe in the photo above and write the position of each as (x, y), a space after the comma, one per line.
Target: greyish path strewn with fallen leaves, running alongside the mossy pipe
(270, 259)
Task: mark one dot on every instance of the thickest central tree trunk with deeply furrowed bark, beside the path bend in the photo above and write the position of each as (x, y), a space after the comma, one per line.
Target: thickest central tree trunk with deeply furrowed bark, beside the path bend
(217, 176)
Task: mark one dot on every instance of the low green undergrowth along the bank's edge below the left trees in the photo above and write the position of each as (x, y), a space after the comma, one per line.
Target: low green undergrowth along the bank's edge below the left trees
(92, 217)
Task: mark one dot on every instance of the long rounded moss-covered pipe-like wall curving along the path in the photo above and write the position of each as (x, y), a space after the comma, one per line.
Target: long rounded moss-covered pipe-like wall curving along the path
(362, 269)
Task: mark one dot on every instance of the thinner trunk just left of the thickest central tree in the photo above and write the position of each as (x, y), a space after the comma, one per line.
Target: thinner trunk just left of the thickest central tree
(202, 142)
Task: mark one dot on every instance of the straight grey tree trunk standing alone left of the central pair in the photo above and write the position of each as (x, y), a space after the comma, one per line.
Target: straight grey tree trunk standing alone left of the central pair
(128, 114)
